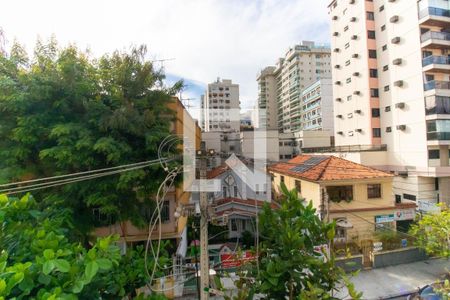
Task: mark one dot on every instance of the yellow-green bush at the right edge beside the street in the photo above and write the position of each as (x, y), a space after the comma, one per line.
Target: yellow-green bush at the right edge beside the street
(432, 233)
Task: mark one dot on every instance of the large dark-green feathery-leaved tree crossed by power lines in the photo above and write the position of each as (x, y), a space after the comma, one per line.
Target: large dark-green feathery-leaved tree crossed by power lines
(65, 112)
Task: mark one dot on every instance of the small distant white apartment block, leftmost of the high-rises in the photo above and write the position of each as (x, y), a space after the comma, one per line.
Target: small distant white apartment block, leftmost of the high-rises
(221, 107)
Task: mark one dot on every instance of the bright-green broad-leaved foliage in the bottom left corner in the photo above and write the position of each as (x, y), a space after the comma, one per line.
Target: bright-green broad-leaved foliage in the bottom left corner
(39, 262)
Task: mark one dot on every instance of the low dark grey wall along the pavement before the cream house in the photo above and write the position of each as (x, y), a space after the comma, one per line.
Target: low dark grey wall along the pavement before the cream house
(398, 257)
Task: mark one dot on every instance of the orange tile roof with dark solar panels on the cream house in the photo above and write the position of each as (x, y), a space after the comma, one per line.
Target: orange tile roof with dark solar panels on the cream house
(325, 168)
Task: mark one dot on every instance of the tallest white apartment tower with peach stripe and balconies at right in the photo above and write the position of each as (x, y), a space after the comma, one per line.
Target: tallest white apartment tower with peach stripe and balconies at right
(392, 90)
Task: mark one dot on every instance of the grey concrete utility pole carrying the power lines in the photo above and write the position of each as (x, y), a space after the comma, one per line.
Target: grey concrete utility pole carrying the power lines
(204, 255)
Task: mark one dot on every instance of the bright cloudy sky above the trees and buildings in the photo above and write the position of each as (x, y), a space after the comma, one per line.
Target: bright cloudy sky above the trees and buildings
(202, 39)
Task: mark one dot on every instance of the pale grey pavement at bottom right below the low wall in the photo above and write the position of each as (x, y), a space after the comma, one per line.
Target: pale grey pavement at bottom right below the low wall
(398, 280)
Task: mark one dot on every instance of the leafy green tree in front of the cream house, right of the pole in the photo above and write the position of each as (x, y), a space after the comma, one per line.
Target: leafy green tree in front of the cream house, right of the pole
(289, 265)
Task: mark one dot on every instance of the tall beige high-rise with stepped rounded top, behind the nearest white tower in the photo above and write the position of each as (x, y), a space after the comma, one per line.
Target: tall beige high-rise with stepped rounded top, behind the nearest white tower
(281, 86)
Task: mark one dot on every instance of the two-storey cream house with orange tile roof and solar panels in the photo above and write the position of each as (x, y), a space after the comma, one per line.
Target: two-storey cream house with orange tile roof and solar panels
(359, 198)
